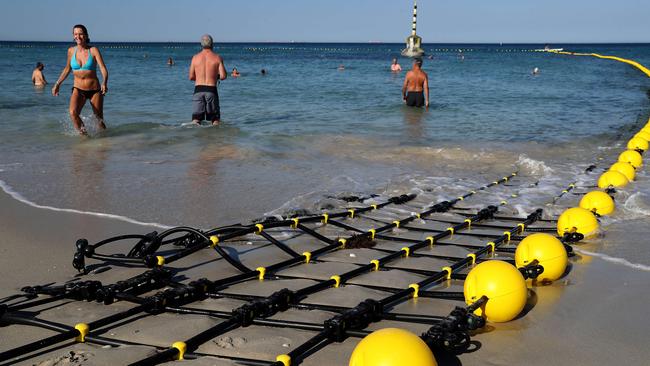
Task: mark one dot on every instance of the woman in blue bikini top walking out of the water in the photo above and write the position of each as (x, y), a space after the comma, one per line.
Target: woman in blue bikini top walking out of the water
(83, 60)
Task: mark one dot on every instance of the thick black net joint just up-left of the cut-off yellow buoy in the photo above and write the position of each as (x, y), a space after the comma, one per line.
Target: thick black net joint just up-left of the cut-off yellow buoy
(359, 317)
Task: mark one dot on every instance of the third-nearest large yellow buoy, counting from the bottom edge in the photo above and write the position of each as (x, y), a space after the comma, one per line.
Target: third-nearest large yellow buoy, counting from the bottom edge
(547, 250)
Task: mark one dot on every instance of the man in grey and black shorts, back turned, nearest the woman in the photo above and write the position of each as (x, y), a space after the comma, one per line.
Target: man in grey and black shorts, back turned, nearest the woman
(206, 70)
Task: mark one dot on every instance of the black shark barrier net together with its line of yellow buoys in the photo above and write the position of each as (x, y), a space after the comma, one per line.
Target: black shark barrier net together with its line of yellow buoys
(465, 266)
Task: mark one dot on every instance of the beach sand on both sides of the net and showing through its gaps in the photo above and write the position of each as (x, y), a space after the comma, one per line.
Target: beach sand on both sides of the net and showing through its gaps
(593, 316)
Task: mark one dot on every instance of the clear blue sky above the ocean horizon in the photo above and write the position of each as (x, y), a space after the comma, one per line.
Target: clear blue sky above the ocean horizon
(507, 21)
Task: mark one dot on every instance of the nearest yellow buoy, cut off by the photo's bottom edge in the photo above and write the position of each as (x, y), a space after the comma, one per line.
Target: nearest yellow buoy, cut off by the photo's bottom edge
(392, 347)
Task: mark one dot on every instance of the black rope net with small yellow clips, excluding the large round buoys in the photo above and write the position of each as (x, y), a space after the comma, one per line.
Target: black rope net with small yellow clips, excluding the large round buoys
(301, 283)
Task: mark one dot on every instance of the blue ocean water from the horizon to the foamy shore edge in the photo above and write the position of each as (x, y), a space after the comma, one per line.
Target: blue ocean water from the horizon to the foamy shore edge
(307, 132)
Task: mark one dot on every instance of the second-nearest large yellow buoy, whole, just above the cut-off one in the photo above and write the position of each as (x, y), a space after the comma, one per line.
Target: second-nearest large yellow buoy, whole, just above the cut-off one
(504, 286)
